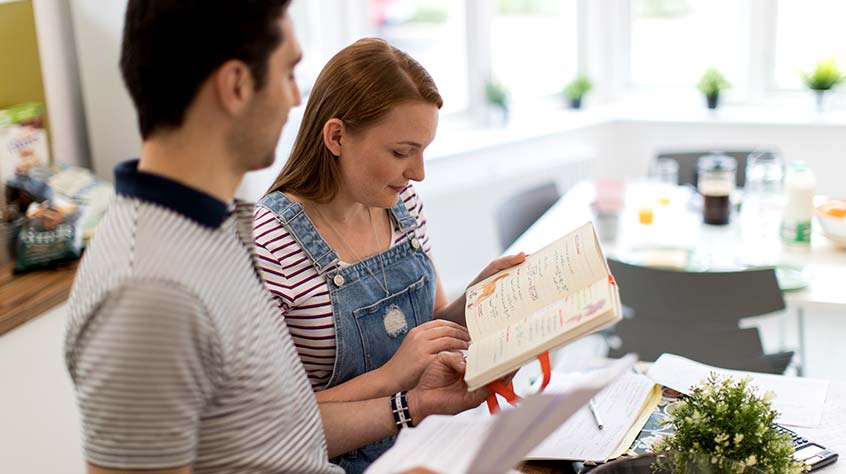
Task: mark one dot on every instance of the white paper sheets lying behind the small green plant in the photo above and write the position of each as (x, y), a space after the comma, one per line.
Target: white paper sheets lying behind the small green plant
(799, 401)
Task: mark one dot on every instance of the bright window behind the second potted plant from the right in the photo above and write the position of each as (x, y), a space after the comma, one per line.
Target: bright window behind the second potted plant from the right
(674, 41)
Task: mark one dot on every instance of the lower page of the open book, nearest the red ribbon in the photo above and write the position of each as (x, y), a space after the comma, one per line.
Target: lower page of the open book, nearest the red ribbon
(575, 315)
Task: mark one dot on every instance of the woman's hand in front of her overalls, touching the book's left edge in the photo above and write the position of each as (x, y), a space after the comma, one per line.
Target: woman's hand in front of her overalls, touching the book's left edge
(420, 347)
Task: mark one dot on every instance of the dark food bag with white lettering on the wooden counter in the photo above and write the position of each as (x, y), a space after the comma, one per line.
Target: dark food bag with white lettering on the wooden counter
(50, 236)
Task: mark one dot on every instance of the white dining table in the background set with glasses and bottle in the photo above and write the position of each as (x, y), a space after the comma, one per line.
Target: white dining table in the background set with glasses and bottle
(823, 263)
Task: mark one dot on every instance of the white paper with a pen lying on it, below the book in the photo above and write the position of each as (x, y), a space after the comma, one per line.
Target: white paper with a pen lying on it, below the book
(579, 438)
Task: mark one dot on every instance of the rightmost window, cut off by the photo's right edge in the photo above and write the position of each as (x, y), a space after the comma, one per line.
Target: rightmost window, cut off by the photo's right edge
(807, 31)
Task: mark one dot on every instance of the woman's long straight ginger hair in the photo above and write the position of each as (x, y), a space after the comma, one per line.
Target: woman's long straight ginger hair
(359, 86)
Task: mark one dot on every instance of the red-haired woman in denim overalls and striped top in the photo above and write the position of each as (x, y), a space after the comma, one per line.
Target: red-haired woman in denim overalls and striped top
(342, 238)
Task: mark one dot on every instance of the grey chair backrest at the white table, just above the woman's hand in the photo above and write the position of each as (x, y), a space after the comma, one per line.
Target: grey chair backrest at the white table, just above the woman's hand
(519, 211)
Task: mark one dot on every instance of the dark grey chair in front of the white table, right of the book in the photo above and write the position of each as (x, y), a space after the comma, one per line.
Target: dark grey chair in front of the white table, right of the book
(696, 315)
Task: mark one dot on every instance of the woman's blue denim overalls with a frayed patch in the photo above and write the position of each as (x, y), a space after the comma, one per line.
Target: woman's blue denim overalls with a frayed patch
(369, 325)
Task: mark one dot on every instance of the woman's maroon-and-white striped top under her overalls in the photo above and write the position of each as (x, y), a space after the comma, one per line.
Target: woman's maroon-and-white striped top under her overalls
(302, 294)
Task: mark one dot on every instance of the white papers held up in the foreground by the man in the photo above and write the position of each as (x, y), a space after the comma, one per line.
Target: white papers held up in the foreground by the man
(492, 445)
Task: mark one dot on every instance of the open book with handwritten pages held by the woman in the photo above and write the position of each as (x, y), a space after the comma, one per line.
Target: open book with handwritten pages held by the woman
(559, 294)
